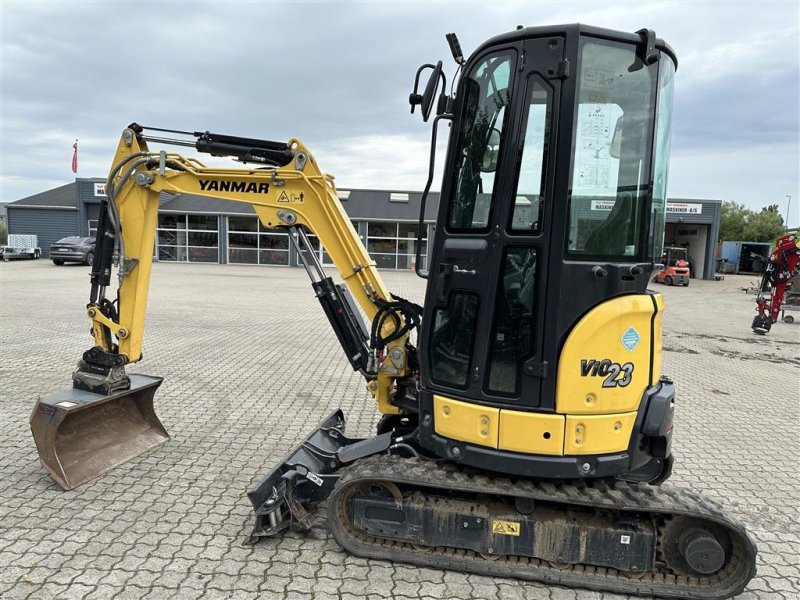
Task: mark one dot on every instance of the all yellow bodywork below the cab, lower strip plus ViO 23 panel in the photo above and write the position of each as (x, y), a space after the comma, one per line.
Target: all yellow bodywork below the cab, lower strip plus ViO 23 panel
(604, 369)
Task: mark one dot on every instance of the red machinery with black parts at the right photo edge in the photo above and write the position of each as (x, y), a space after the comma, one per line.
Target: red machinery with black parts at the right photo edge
(783, 267)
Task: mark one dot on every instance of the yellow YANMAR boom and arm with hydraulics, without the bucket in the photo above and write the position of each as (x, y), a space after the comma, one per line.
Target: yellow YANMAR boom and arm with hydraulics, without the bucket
(287, 191)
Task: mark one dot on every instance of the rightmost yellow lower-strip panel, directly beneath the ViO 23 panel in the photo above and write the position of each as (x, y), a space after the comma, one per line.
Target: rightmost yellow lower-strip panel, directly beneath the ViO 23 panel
(598, 434)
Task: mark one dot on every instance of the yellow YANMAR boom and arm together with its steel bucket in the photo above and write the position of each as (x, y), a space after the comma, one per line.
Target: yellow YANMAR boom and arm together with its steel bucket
(108, 417)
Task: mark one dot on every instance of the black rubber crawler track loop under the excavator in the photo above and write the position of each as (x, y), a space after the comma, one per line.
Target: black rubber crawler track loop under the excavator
(642, 498)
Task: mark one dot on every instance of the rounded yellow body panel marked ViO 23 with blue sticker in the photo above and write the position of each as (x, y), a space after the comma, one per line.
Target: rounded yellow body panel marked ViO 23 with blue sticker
(604, 366)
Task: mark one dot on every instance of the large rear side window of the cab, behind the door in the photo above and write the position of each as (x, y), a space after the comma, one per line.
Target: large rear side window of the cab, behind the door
(609, 190)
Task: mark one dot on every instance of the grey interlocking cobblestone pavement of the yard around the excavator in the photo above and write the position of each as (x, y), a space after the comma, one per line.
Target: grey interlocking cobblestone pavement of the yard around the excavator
(251, 365)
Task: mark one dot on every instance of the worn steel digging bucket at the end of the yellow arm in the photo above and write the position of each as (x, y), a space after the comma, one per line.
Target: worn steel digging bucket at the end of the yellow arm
(81, 435)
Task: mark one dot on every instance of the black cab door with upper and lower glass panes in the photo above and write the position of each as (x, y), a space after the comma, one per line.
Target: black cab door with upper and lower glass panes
(481, 342)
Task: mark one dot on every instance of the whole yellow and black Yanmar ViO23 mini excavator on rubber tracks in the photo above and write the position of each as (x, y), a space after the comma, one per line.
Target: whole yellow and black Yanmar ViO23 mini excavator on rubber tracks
(526, 433)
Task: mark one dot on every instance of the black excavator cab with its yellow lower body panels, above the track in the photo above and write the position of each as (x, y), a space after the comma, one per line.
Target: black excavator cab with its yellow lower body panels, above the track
(549, 227)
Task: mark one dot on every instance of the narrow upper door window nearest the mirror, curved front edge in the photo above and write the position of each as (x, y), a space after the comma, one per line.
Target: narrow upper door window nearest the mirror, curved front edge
(484, 115)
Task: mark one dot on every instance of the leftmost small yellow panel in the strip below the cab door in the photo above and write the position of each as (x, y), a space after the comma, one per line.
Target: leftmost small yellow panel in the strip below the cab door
(466, 422)
